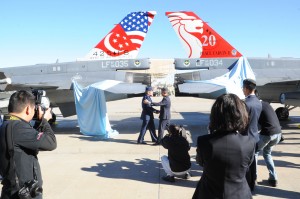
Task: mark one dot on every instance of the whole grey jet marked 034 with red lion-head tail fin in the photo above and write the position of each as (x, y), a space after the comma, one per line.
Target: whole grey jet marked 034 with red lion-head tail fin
(209, 56)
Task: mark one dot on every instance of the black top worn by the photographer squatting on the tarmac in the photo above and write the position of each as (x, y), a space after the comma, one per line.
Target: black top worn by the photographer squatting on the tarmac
(178, 152)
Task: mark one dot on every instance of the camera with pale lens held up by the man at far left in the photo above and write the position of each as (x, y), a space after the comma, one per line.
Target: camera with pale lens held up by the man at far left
(40, 101)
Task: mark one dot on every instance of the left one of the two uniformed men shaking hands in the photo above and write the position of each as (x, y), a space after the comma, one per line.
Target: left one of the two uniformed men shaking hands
(147, 117)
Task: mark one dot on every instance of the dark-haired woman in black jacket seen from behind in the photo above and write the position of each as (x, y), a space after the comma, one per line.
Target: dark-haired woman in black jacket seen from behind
(226, 153)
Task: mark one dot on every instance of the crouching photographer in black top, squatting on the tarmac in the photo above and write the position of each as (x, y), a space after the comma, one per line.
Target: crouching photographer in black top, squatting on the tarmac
(178, 161)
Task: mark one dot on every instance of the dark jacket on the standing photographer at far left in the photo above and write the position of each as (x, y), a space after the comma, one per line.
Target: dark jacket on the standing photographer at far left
(27, 143)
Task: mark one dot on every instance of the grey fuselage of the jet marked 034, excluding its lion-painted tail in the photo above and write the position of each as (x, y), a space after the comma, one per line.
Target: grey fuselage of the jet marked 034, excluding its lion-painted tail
(273, 75)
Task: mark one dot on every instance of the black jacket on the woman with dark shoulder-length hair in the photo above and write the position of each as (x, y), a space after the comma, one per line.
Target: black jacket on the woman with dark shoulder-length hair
(225, 157)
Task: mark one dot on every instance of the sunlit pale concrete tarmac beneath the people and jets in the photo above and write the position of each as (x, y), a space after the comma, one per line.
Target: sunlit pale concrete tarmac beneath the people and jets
(90, 168)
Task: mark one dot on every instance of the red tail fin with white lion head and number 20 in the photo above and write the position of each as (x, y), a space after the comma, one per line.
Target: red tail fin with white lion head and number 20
(198, 38)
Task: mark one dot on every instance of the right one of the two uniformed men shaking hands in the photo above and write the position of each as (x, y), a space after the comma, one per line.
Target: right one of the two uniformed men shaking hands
(165, 114)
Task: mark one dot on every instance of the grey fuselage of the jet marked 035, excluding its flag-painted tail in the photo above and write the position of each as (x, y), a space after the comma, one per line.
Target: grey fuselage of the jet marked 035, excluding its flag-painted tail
(57, 78)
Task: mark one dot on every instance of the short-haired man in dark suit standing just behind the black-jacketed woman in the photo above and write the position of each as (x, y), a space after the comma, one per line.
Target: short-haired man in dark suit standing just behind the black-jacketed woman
(254, 108)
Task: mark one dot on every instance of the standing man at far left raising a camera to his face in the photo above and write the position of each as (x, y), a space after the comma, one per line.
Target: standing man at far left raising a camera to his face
(19, 145)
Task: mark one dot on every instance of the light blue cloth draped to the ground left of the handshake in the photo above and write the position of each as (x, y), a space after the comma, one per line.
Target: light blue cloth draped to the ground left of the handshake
(91, 110)
